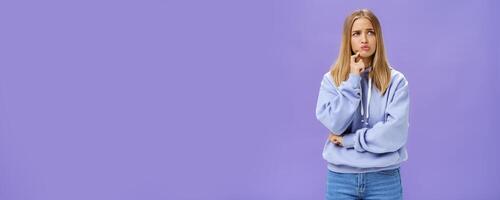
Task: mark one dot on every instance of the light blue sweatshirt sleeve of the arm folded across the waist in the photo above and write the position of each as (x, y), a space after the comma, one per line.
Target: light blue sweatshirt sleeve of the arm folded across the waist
(388, 136)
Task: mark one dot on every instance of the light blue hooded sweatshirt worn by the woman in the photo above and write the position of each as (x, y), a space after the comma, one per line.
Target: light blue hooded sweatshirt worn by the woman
(374, 127)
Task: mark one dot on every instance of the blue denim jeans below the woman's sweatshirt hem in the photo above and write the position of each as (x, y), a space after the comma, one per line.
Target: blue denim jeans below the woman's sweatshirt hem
(381, 185)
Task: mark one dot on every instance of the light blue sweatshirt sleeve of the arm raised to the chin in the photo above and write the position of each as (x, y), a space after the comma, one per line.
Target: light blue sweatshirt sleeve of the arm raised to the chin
(336, 106)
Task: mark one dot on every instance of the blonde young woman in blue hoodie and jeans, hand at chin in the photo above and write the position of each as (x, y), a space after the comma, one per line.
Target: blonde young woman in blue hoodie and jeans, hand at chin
(364, 103)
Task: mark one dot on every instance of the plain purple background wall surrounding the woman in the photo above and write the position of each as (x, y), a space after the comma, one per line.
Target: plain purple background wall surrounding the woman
(215, 99)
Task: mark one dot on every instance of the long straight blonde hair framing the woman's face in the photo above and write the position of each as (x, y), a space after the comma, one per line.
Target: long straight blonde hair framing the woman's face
(380, 73)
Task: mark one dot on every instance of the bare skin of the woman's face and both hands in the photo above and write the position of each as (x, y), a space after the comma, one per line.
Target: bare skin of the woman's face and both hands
(362, 35)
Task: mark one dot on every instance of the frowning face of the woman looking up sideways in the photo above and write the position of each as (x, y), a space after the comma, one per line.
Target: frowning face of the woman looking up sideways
(363, 37)
